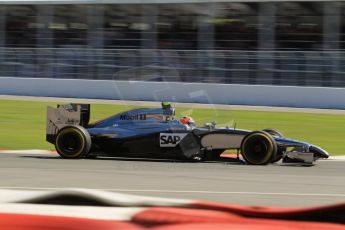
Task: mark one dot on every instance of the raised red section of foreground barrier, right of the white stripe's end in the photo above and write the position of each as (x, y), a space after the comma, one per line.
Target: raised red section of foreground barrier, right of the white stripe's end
(198, 219)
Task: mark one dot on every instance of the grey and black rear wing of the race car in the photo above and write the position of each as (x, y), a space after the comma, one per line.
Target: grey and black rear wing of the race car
(65, 115)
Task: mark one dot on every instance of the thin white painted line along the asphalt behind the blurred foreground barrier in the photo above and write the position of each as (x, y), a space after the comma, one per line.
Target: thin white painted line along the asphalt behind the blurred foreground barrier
(191, 191)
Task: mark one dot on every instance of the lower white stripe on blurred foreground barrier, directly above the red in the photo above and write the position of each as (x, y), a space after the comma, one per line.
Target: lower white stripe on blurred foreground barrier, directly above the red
(89, 212)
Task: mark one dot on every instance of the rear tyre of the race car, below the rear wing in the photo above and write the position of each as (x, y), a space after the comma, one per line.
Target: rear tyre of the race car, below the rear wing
(73, 142)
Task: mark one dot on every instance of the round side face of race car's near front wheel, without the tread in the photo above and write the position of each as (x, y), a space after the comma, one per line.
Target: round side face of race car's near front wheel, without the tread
(257, 149)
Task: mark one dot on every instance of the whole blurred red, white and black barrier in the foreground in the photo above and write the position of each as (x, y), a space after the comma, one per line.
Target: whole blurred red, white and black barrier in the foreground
(65, 209)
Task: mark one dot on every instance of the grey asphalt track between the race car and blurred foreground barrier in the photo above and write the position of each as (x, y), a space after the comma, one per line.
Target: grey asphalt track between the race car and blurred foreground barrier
(273, 185)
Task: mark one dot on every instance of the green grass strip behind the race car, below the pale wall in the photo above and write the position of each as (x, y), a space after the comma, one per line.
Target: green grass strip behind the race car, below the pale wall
(22, 123)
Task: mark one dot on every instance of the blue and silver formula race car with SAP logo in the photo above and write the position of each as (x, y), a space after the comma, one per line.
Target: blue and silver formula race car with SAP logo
(156, 133)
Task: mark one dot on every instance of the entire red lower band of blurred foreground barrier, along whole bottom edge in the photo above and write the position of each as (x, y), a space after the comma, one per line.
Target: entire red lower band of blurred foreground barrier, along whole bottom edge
(159, 219)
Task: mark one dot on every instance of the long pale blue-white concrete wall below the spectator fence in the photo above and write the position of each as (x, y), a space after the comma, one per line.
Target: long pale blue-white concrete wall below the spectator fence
(213, 93)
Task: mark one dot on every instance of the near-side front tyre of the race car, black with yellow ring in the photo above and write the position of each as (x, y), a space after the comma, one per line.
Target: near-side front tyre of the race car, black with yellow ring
(258, 148)
